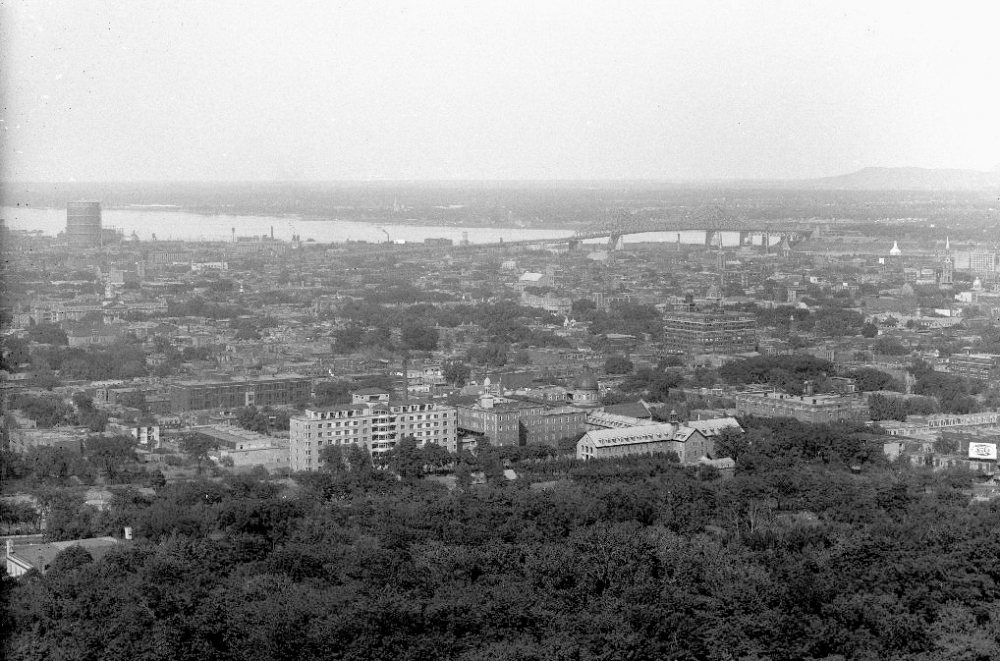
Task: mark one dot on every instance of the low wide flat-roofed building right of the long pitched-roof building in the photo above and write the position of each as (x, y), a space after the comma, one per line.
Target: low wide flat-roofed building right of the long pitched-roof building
(807, 408)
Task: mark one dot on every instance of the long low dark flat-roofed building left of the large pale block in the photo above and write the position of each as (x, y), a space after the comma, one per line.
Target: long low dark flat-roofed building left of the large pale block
(277, 390)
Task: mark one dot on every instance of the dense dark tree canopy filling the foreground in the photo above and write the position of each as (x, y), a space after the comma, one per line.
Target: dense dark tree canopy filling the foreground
(796, 557)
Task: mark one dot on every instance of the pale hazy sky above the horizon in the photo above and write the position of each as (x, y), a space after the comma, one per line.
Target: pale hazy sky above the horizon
(254, 90)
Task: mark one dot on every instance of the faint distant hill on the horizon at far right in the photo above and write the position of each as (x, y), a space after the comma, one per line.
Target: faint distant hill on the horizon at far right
(904, 179)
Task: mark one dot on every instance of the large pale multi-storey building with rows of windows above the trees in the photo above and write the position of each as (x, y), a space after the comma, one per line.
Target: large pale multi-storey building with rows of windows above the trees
(373, 423)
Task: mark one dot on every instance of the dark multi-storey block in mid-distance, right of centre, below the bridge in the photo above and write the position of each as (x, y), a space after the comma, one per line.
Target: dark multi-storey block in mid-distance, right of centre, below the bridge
(709, 332)
